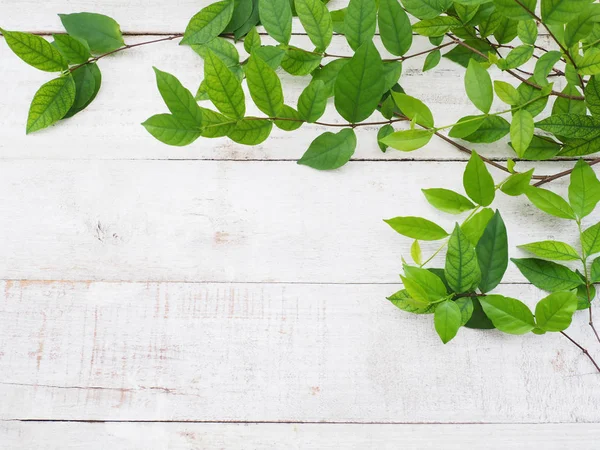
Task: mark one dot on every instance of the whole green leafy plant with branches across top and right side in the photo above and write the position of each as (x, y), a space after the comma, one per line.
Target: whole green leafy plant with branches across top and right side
(551, 110)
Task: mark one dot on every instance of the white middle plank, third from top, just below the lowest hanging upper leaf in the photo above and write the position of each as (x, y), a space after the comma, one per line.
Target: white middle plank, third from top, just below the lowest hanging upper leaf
(230, 221)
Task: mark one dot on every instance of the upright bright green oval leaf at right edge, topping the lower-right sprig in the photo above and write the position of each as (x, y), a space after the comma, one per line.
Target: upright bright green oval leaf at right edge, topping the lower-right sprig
(584, 189)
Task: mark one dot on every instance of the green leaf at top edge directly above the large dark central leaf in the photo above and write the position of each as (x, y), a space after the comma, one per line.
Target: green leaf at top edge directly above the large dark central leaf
(360, 22)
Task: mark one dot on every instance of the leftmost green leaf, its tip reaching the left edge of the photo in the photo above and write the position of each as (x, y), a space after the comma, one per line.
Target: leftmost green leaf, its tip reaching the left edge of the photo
(35, 51)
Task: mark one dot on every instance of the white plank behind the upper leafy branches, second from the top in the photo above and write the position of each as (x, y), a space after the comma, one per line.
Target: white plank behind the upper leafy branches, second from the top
(110, 128)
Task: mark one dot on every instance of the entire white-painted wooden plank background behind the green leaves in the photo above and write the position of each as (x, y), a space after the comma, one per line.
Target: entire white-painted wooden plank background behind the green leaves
(222, 297)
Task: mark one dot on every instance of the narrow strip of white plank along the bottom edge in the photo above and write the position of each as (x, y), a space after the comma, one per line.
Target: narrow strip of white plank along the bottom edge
(160, 436)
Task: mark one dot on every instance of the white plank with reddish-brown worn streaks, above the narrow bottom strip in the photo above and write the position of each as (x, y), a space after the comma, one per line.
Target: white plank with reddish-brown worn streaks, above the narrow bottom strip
(273, 352)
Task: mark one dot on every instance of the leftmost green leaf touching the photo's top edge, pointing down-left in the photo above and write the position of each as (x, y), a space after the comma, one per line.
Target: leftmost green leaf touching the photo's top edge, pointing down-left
(208, 23)
